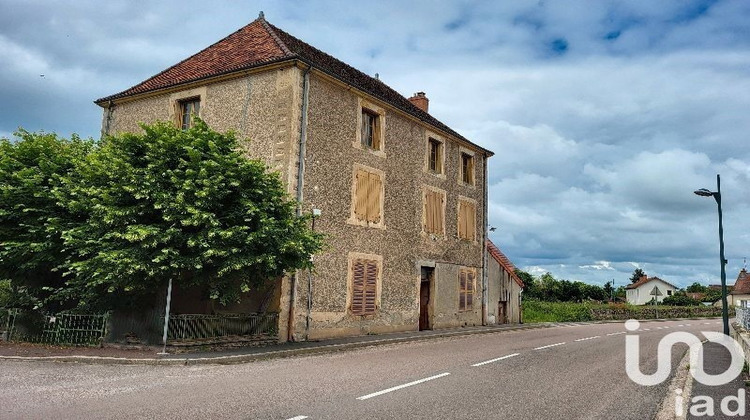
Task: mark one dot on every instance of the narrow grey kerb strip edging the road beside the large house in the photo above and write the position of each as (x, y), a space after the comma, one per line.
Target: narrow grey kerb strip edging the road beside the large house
(273, 354)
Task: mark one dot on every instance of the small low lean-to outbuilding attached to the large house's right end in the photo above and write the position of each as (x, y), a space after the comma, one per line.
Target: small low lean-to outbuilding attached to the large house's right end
(504, 288)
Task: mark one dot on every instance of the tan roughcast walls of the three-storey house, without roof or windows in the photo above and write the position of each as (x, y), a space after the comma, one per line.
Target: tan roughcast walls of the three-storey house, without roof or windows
(266, 108)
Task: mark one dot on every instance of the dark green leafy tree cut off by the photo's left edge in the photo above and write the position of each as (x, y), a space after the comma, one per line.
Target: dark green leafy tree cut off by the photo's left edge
(32, 249)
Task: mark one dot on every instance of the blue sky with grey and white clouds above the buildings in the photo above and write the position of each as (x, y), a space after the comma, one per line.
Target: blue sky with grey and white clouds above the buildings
(604, 116)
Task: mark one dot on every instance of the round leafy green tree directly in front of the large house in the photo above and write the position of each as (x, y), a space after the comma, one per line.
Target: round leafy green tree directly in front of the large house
(181, 205)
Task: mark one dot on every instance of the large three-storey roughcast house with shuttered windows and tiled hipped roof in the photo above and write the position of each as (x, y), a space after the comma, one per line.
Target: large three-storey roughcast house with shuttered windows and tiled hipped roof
(400, 195)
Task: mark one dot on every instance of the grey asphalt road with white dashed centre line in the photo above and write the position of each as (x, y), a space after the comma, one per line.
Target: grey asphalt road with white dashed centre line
(565, 372)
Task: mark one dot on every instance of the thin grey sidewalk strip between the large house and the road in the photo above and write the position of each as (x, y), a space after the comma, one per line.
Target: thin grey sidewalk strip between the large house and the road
(249, 354)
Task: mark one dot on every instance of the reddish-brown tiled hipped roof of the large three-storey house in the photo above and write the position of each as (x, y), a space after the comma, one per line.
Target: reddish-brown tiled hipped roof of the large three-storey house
(260, 43)
